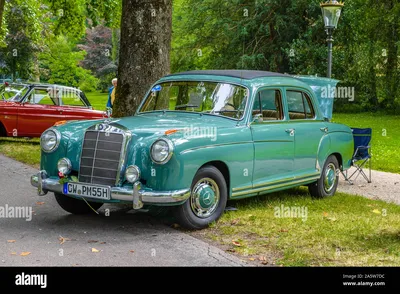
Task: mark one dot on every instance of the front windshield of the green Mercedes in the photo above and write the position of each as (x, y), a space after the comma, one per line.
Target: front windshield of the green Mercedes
(196, 96)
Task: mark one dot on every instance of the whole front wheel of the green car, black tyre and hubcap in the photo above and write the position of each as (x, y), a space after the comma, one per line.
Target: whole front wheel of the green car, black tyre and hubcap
(208, 197)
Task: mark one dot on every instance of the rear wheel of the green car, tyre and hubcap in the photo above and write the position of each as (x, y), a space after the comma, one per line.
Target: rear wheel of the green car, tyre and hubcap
(327, 184)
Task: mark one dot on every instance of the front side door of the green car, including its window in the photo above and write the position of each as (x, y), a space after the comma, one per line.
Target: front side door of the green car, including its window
(273, 140)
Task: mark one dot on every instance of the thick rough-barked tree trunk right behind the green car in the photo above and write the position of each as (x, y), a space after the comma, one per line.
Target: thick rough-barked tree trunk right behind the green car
(146, 27)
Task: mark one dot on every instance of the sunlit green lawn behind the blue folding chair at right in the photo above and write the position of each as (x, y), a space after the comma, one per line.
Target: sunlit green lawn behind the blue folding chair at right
(385, 137)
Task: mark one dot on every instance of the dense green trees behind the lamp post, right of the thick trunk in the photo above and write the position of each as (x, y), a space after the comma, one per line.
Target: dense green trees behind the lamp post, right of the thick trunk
(288, 36)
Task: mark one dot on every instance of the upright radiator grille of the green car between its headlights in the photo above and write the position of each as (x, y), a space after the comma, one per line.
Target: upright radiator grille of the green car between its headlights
(100, 158)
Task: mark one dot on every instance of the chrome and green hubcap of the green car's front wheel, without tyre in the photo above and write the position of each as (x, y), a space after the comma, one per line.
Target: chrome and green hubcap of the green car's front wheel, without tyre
(204, 198)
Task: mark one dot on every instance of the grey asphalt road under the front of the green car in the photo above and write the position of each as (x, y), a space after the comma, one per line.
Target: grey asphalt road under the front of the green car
(123, 238)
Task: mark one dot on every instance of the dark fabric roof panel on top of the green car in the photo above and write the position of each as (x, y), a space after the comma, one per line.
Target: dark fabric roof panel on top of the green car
(242, 74)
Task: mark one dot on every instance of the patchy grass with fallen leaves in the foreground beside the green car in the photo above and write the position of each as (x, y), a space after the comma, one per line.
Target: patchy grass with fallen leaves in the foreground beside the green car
(343, 230)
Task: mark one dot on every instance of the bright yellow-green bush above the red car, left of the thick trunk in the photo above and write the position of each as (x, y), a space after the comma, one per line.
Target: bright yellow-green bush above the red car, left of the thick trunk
(59, 65)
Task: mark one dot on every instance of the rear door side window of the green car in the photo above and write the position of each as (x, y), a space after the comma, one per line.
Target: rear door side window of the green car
(299, 105)
